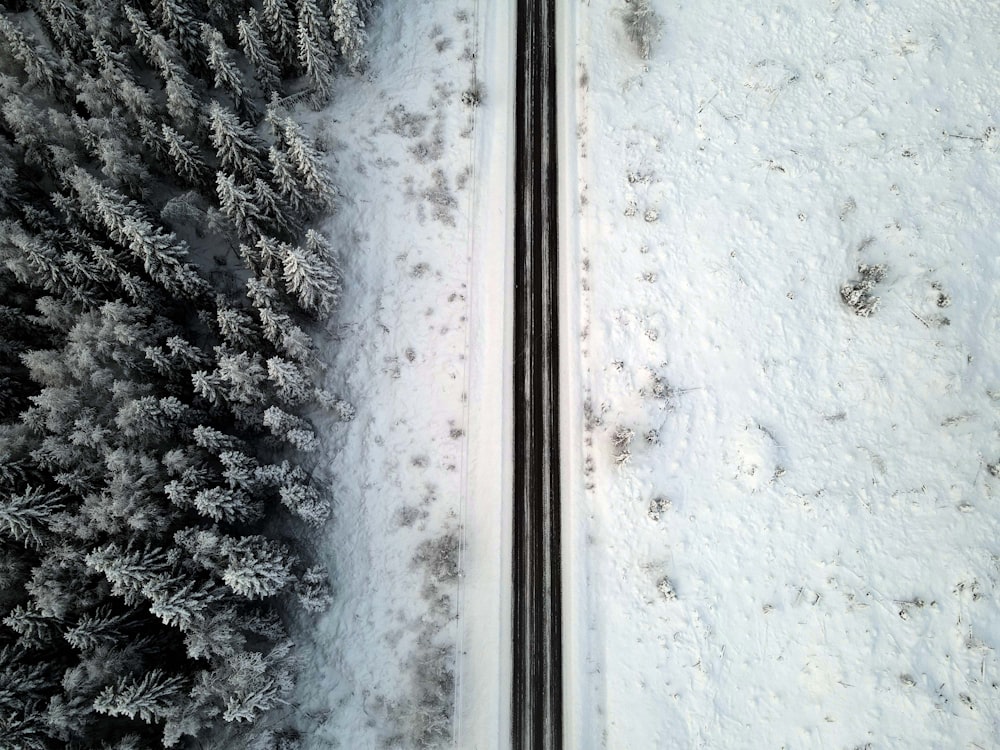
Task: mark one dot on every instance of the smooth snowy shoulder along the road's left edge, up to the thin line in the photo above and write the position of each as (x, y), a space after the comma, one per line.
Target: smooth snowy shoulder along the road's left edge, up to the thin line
(483, 709)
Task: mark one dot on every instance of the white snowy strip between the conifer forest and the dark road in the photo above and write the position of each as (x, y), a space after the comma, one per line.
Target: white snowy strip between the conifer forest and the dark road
(415, 547)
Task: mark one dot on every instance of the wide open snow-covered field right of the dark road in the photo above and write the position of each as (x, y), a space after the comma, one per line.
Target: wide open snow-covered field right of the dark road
(785, 531)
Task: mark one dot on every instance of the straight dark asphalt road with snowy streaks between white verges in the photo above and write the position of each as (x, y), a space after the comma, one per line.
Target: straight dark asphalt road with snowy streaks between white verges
(537, 632)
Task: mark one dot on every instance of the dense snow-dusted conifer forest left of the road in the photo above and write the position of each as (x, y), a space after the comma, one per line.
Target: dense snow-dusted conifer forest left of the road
(158, 280)
